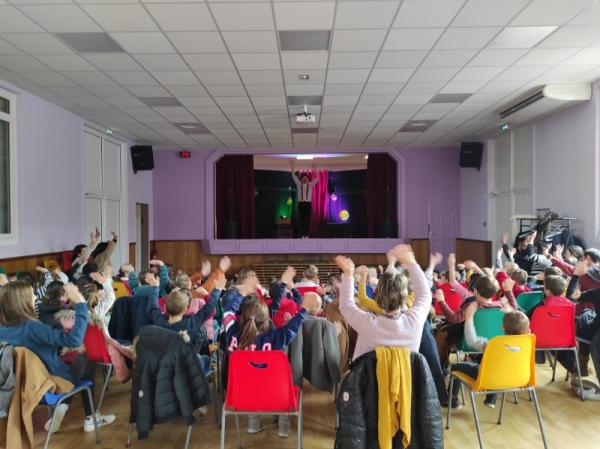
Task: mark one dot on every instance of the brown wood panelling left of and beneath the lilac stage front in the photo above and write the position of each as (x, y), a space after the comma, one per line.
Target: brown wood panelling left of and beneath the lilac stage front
(188, 255)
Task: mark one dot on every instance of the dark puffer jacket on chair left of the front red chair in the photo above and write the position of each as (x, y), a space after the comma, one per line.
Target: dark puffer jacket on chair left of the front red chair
(168, 381)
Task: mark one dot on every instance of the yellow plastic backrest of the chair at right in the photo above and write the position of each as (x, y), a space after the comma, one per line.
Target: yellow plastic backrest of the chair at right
(508, 362)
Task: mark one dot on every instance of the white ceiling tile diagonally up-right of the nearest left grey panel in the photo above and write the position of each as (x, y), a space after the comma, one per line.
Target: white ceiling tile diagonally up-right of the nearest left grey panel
(116, 17)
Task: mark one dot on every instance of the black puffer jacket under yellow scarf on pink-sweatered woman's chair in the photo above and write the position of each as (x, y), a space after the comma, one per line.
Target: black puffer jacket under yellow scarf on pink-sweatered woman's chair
(357, 407)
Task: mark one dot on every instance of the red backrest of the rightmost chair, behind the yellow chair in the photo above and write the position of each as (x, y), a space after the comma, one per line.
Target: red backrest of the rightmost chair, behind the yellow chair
(554, 326)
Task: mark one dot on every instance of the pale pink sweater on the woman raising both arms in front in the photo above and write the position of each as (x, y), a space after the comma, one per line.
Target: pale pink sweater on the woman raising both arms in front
(403, 330)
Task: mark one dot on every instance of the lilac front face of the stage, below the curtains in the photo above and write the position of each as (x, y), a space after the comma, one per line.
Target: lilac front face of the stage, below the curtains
(304, 246)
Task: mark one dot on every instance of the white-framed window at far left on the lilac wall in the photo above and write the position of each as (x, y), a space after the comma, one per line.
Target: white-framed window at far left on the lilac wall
(7, 166)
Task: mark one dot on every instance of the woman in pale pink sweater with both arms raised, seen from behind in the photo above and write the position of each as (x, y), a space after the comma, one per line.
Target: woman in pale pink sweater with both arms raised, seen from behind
(397, 326)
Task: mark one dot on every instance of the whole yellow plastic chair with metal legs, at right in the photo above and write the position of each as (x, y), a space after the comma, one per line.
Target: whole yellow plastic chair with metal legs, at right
(508, 365)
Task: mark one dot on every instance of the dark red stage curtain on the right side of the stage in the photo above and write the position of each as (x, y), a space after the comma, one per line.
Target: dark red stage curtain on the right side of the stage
(382, 202)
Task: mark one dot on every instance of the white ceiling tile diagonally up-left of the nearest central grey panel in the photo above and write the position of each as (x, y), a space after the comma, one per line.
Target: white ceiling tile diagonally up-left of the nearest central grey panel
(243, 16)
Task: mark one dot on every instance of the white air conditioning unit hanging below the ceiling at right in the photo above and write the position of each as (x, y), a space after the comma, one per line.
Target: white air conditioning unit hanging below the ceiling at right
(545, 100)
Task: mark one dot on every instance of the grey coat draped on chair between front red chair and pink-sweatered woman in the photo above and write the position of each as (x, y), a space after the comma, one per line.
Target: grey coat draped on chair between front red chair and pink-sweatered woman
(315, 354)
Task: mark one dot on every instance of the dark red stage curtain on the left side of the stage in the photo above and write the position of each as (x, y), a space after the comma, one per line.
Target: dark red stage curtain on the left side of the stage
(235, 197)
